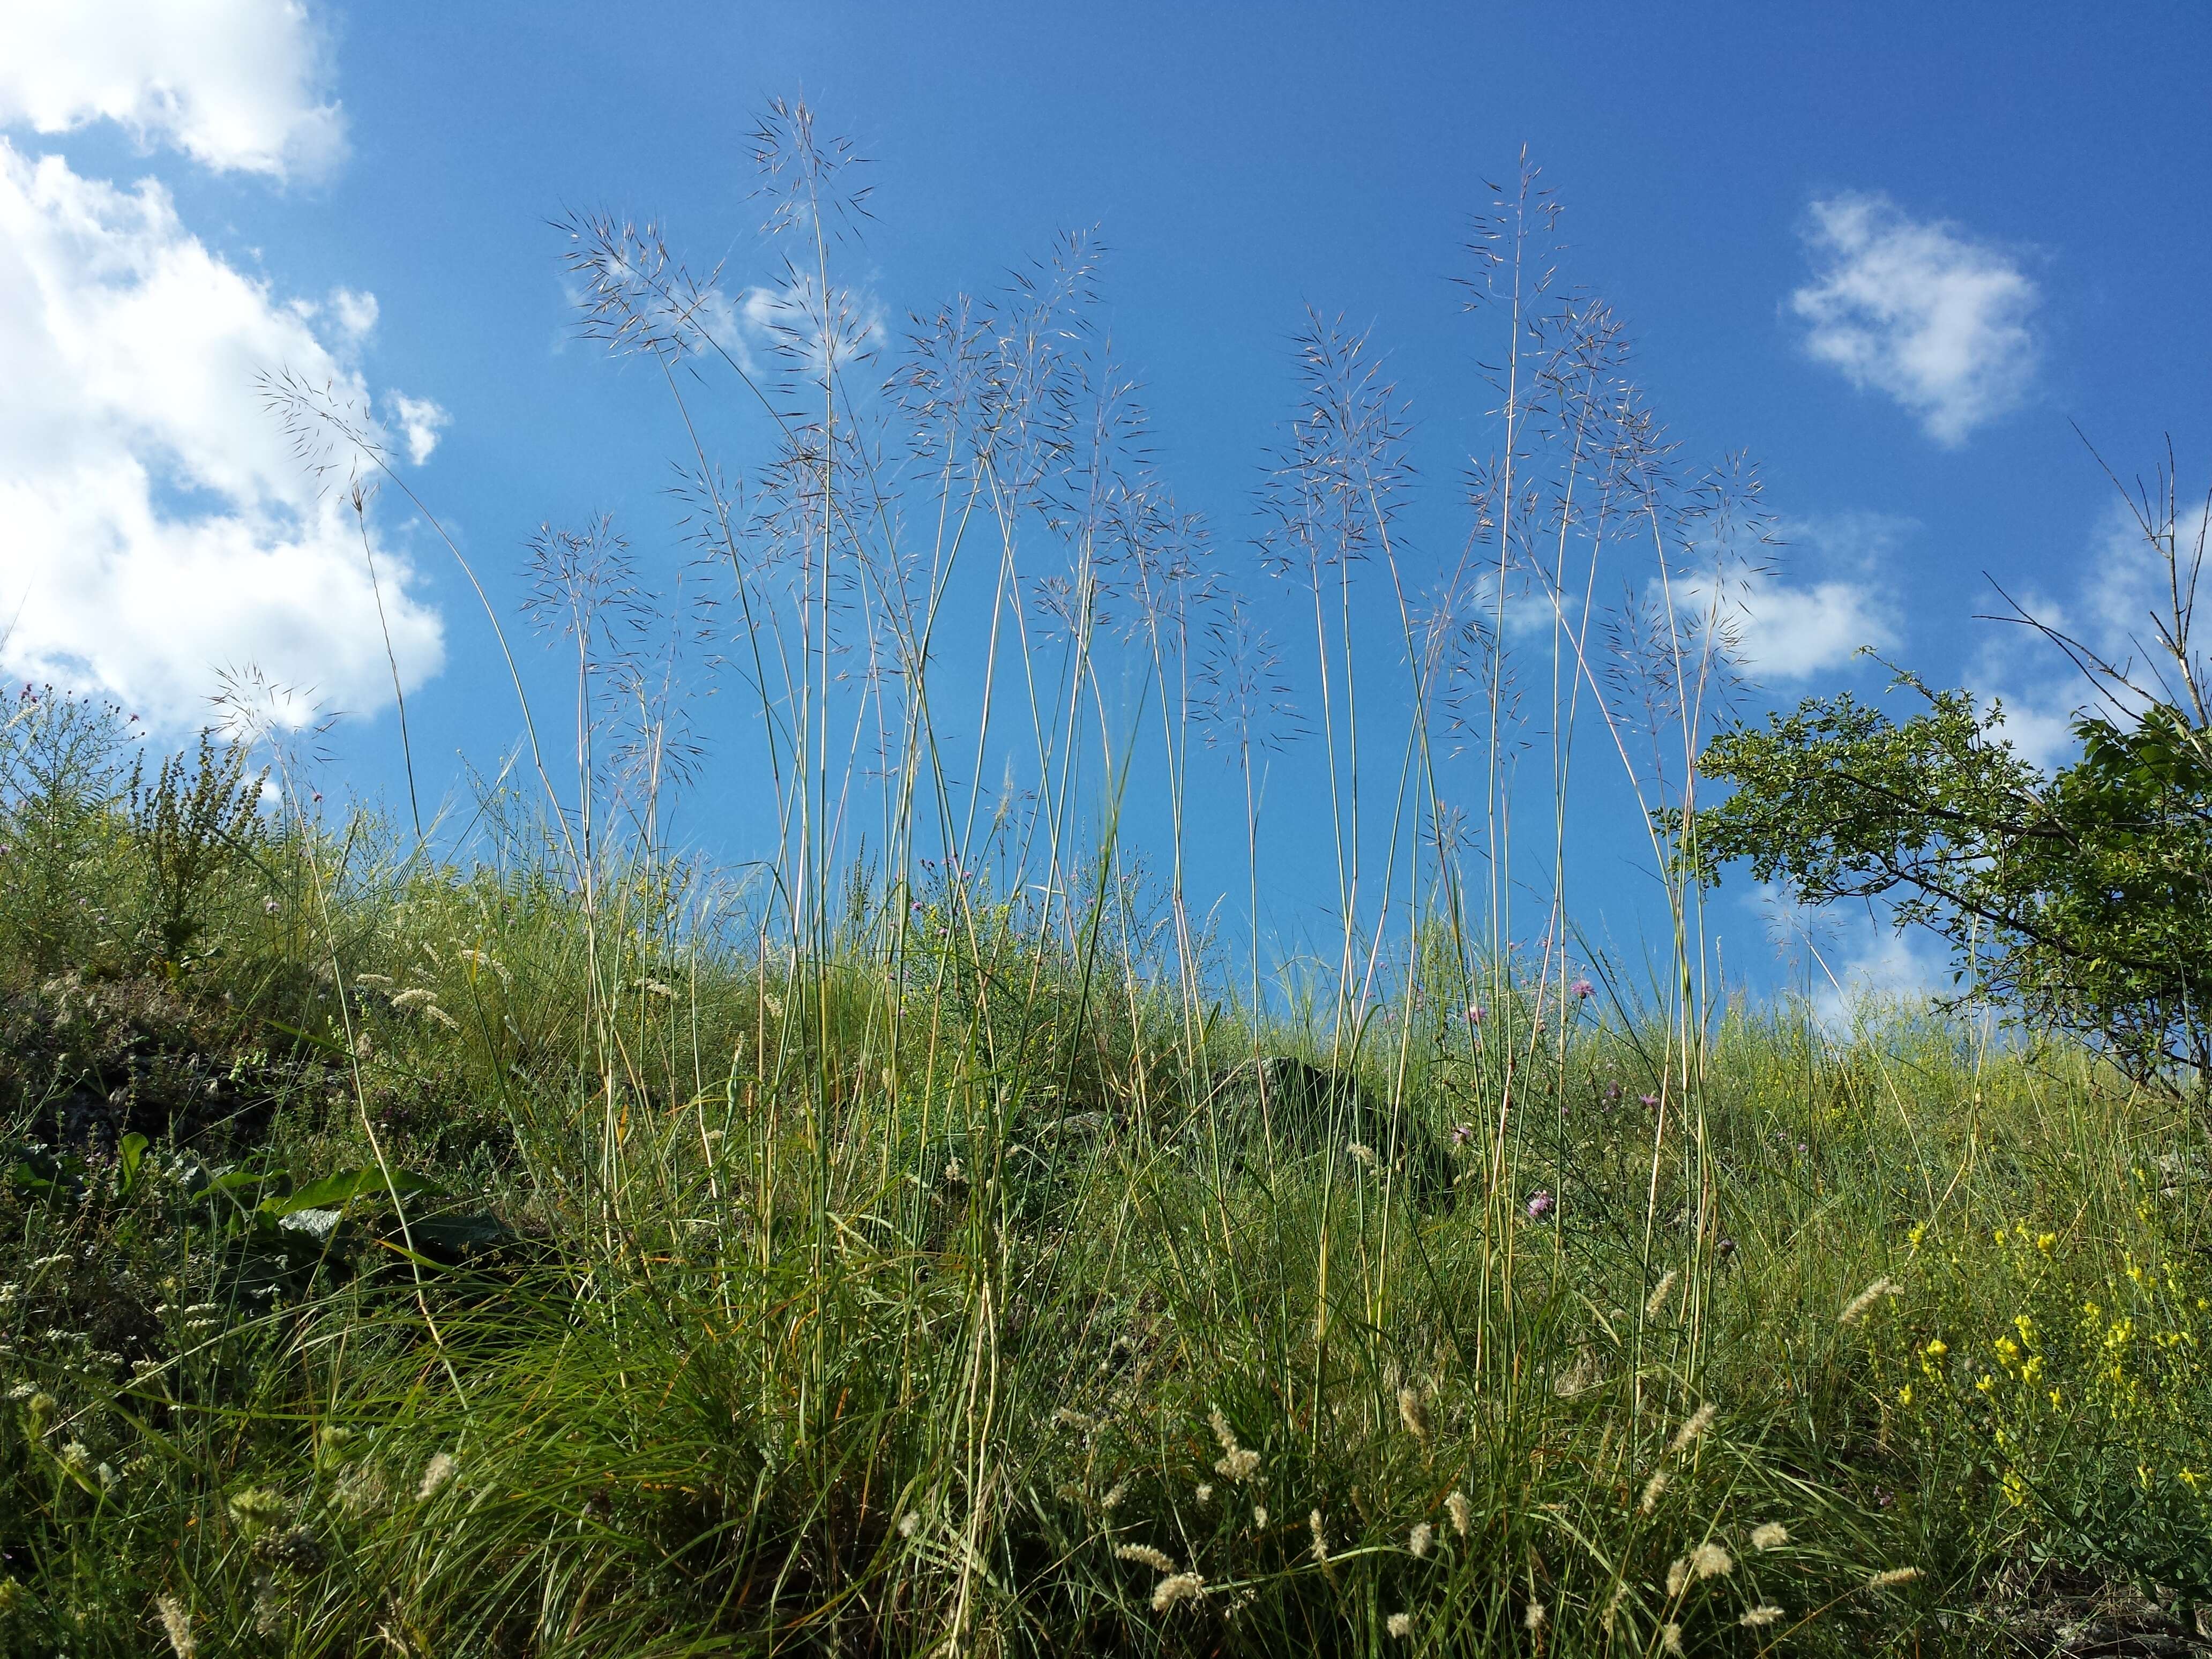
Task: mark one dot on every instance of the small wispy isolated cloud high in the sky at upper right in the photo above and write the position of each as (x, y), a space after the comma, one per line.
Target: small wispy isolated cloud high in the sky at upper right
(1919, 311)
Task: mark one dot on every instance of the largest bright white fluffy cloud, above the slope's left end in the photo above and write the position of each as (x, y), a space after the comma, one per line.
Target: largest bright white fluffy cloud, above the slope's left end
(156, 525)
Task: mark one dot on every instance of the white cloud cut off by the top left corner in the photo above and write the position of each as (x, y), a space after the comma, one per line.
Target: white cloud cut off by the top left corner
(238, 85)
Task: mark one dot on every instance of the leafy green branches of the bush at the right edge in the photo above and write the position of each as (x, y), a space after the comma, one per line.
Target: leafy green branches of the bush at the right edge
(2083, 899)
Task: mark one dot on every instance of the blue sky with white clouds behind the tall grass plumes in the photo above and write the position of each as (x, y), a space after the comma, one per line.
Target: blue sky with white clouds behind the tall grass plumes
(1888, 251)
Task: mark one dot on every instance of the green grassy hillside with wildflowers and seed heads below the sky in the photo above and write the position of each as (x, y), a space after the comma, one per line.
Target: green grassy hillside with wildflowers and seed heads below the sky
(457, 1262)
